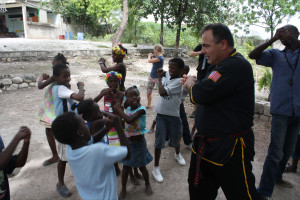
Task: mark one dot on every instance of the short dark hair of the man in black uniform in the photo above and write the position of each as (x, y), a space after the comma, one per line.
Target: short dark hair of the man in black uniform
(220, 32)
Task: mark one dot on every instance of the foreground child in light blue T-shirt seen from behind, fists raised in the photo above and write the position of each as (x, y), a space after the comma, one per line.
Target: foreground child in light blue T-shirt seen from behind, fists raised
(91, 161)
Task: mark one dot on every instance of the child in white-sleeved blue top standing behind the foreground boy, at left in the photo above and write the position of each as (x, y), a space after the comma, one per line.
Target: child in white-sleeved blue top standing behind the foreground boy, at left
(63, 99)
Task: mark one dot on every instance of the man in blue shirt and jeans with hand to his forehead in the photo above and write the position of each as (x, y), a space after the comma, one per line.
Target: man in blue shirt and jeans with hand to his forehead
(285, 104)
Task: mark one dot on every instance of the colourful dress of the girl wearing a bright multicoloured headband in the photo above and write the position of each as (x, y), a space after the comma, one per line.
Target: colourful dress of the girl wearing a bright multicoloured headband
(113, 137)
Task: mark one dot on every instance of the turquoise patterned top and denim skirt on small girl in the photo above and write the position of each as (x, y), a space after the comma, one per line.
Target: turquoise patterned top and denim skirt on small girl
(140, 155)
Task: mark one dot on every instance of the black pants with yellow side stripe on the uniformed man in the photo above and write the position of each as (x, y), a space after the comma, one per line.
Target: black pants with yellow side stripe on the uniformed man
(235, 178)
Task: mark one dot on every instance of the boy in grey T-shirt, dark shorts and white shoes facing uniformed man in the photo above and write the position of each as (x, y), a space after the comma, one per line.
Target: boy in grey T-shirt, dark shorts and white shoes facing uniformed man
(168, 122)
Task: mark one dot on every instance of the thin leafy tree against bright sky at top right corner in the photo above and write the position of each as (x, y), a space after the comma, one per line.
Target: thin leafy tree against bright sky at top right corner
(268, 13)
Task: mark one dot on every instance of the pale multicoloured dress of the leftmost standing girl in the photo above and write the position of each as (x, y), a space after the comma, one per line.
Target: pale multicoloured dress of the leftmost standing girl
(47, 114)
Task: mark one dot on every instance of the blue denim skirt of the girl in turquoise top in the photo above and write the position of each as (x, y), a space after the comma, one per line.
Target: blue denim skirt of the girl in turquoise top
(140, 156)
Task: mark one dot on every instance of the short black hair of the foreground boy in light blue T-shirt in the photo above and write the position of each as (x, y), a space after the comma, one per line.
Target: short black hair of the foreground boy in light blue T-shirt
(65, 127)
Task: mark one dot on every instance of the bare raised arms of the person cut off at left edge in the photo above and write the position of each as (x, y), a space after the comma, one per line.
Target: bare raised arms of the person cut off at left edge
(5, 156)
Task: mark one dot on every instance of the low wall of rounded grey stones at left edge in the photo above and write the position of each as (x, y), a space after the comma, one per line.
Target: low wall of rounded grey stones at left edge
(13, 82)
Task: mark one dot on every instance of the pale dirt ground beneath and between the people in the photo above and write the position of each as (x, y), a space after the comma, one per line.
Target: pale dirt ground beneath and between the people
(37, 182)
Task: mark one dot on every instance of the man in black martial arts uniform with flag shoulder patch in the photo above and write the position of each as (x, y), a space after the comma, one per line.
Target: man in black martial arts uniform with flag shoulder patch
(224, 145)
